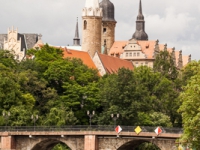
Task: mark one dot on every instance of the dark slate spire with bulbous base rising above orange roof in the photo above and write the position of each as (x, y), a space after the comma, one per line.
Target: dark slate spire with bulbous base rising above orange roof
(140, 33)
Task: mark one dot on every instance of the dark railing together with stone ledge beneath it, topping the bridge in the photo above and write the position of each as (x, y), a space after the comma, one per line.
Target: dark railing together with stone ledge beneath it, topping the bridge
(127, 131)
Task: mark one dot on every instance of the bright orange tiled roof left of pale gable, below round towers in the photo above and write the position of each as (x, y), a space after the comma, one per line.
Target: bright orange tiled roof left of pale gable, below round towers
(84, 56)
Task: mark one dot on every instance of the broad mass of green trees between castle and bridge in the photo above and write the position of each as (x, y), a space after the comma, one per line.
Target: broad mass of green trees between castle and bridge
(55, 88)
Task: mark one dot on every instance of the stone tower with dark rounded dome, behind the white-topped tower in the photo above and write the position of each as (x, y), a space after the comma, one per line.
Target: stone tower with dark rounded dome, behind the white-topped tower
(108, 24)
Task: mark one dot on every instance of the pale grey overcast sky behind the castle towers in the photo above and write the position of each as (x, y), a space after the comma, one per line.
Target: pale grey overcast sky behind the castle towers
(175, 22)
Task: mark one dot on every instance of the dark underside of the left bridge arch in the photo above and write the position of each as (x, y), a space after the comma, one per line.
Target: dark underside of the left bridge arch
(48, 144)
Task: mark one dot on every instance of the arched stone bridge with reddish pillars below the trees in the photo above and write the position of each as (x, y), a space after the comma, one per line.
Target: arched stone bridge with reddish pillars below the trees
(83, 139)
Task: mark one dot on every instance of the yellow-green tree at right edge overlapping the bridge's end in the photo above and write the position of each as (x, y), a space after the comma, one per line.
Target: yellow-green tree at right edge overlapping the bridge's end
(190, 110)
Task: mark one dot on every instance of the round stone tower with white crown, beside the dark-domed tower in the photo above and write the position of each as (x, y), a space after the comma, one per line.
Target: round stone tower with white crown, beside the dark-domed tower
(92, 22)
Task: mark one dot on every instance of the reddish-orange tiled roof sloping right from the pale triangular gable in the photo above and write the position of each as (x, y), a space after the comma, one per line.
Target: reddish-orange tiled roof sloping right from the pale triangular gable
(113, 64)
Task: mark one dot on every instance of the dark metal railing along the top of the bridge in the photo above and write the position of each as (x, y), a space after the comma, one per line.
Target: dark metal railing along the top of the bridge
(85, 128)
